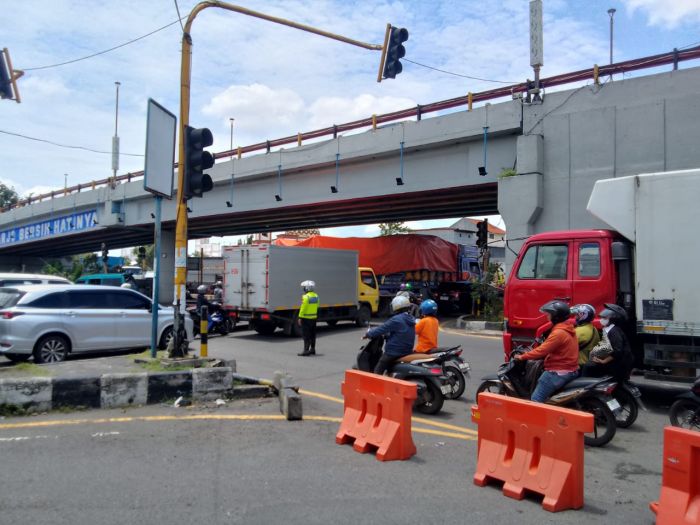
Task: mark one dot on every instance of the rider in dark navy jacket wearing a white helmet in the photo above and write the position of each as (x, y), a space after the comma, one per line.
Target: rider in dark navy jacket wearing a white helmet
(399, 332)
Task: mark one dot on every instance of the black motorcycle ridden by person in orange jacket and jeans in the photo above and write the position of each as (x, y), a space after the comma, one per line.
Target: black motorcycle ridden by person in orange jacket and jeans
(588, 394)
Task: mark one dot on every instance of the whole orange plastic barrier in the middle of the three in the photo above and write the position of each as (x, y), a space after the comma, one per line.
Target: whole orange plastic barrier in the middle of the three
(531, 446)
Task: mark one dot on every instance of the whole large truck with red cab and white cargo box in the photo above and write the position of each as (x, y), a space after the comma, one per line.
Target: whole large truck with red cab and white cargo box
(646, 264)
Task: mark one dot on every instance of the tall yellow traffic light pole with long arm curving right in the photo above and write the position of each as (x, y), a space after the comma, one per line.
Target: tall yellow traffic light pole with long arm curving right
(179, 348)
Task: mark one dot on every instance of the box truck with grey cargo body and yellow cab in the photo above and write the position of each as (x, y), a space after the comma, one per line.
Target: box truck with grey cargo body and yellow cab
(262, 286)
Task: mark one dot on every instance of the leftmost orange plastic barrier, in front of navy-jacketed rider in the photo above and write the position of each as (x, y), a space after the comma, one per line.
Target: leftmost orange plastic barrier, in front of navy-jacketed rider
(377, 414)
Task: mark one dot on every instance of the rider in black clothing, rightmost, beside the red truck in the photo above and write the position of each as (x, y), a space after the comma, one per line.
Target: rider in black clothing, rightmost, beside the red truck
(619, 361)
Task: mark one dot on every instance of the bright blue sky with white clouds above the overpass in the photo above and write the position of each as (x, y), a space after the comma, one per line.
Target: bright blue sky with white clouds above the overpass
(273, 80)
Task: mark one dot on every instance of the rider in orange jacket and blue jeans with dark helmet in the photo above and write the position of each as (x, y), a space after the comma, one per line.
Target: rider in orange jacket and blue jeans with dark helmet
(559, 350)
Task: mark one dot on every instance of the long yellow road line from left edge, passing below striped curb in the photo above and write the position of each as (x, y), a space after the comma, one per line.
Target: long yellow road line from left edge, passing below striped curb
(200, 417)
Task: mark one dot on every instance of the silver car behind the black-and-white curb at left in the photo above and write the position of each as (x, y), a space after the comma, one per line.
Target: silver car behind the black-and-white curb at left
(49, 322)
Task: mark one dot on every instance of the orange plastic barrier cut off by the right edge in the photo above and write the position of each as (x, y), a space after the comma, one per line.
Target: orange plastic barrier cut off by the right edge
(679, 503)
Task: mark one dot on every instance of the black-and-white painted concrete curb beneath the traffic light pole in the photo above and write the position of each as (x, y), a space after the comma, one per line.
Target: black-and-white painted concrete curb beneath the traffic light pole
(41, 394)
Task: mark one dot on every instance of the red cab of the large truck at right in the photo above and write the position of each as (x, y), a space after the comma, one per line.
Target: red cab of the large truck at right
(577, 266)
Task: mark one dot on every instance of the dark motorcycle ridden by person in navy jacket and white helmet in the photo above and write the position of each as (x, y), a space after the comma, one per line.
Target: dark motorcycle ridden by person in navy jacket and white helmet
(431, 391)
